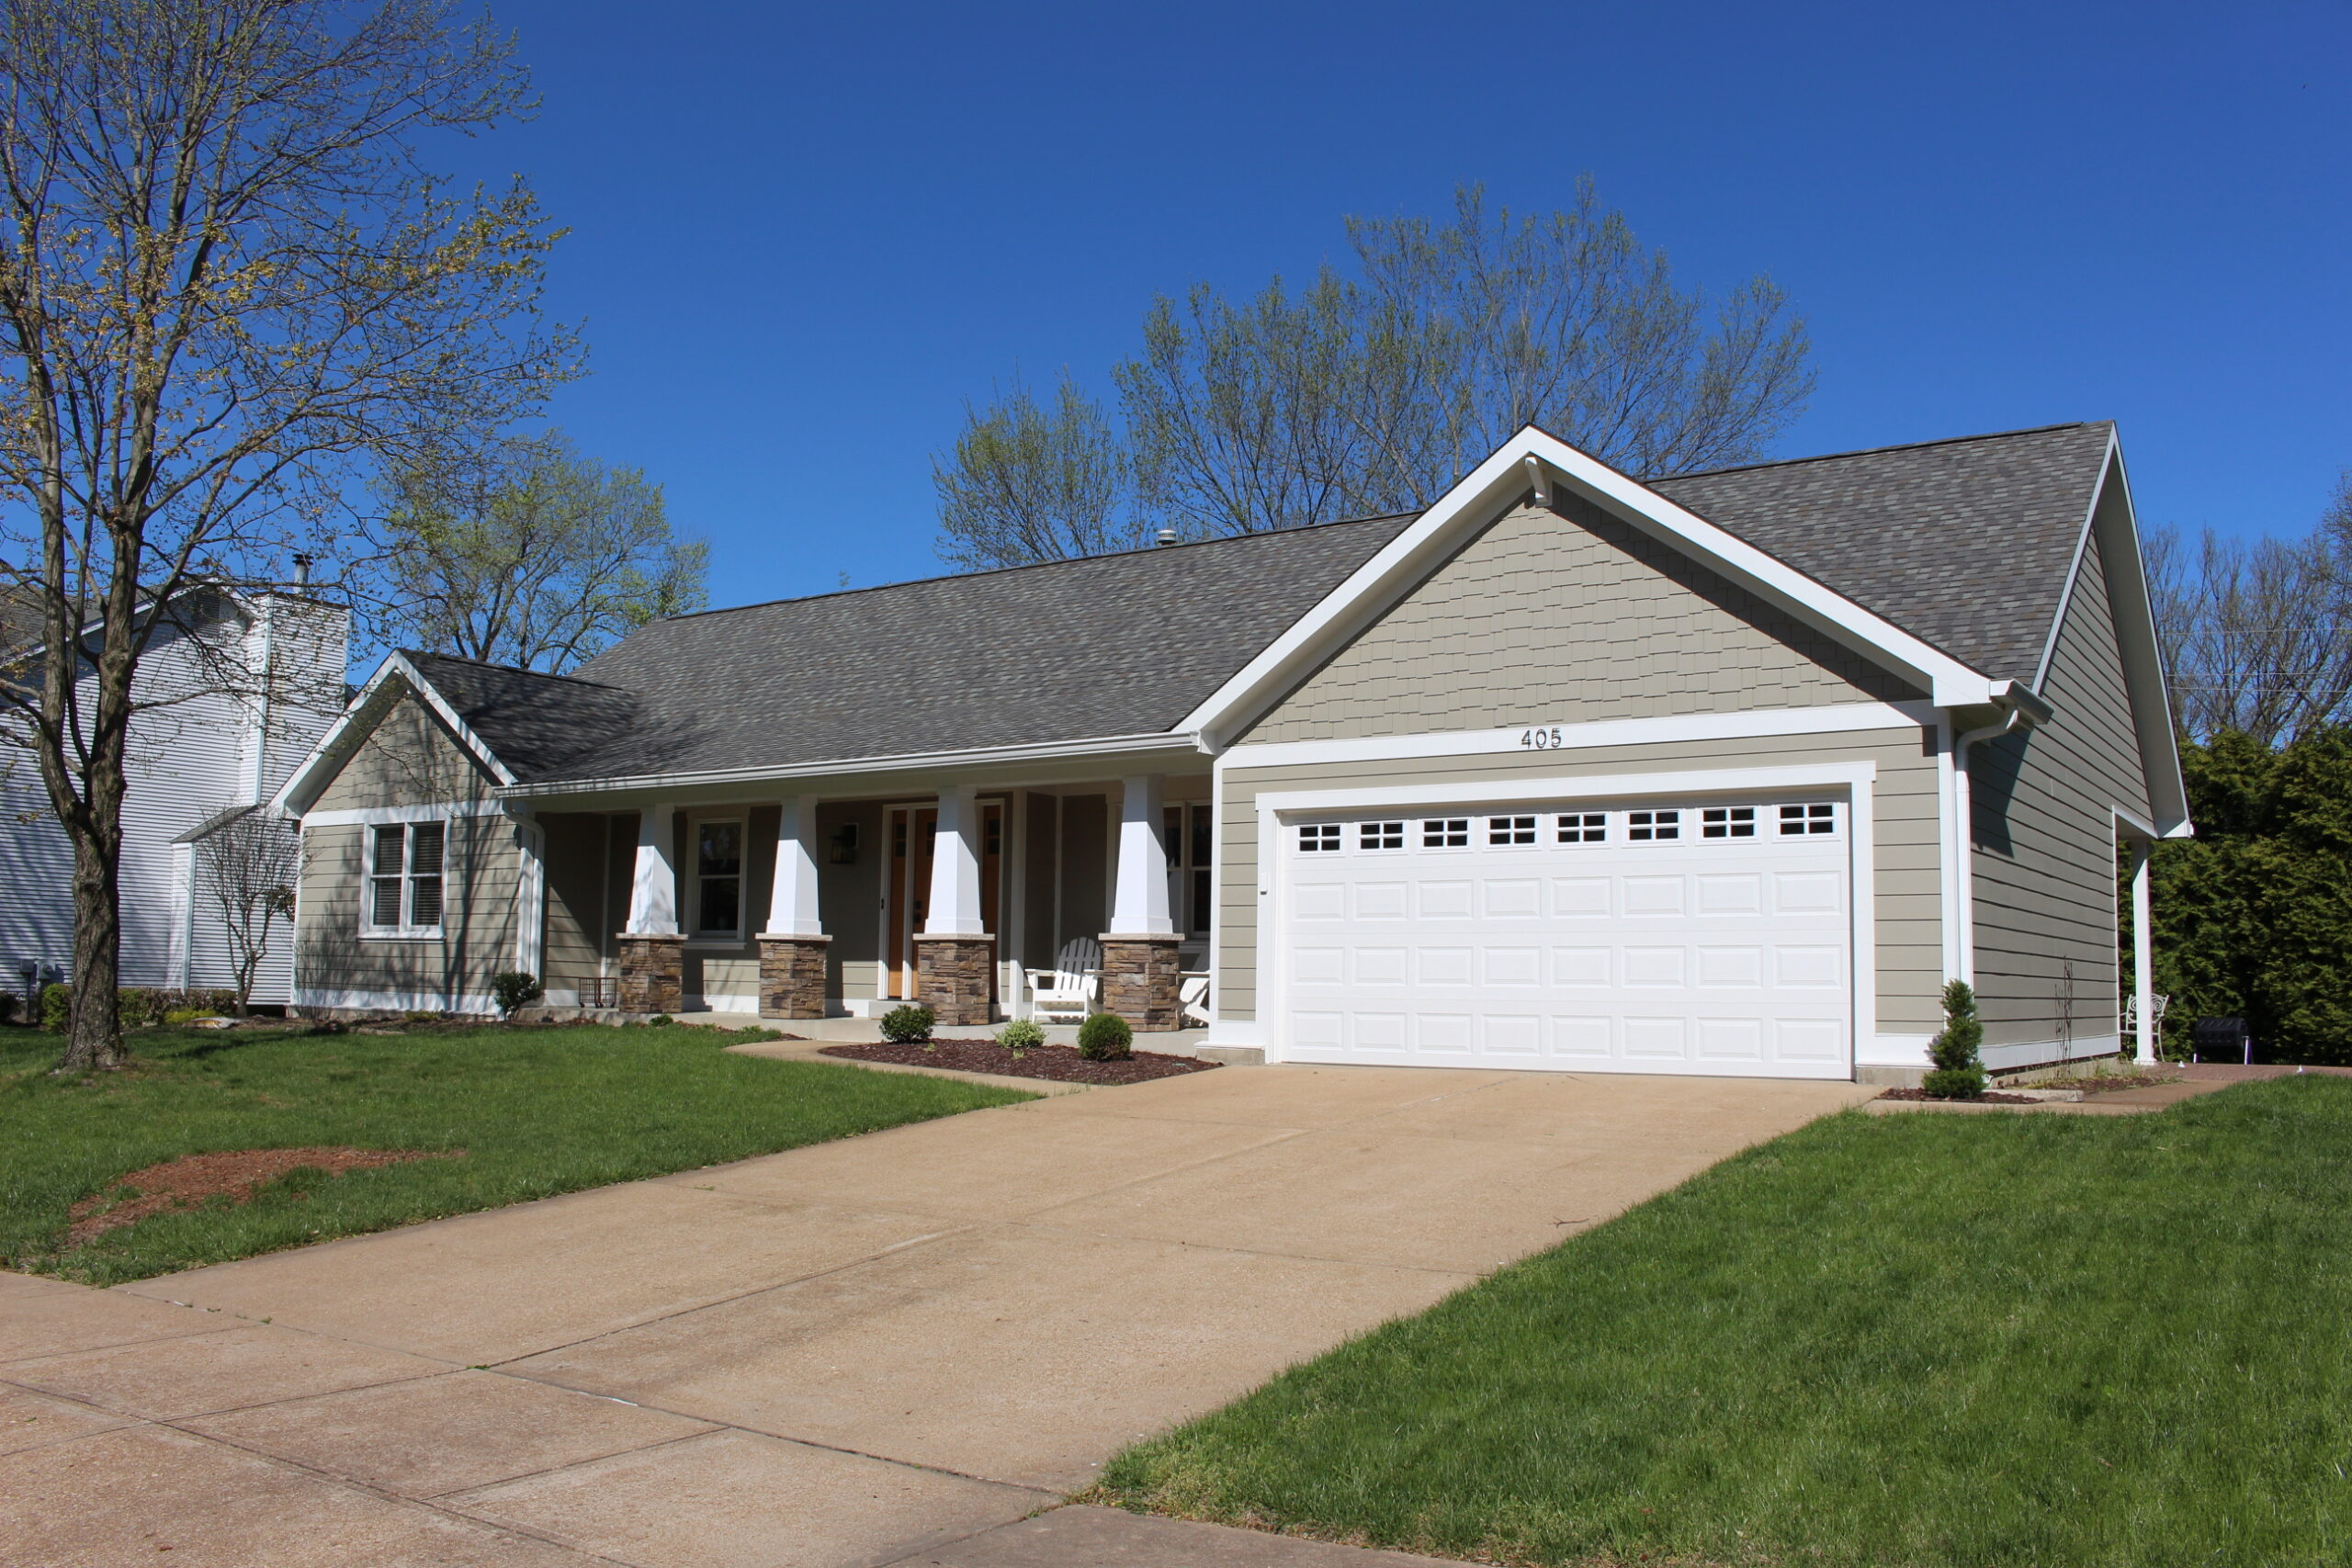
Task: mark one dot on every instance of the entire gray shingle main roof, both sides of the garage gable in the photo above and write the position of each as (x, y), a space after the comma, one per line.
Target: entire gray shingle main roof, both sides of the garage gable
(1963, 544)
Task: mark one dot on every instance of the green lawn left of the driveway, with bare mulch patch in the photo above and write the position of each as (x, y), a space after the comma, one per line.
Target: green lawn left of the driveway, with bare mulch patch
(537, 1113)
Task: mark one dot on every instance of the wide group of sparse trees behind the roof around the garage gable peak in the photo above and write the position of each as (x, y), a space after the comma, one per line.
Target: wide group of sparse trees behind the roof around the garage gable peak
(1375, 391)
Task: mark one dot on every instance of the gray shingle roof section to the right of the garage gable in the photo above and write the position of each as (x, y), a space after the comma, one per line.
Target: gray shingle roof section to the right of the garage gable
(1963, 544)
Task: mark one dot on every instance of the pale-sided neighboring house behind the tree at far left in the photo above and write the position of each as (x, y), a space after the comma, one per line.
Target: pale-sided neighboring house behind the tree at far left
(236, 690)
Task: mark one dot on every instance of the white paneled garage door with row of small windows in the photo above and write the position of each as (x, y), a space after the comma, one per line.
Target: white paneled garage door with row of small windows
(1636, 939)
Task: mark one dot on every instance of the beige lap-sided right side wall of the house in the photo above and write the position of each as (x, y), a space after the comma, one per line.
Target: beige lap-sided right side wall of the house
(2045, 838)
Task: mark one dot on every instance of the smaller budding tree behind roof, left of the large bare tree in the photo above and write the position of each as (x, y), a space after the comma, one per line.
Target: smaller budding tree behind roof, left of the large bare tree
(1034, 483)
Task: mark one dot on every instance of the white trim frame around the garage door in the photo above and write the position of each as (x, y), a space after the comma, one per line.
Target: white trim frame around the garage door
(1857, 779)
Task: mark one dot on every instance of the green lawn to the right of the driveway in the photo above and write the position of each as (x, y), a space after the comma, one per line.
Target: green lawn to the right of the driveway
(1876, 1341)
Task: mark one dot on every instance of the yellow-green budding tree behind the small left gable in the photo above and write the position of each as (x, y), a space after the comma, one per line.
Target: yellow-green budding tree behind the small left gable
(535, 556)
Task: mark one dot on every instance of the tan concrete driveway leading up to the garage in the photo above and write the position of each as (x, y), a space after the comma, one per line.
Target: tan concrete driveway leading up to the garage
(857, 1353)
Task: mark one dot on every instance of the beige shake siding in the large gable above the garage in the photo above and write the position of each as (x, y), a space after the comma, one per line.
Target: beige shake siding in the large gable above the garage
(1570, 617)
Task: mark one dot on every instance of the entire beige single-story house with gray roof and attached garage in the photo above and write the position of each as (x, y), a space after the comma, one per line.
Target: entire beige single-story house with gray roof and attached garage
(1716, 775)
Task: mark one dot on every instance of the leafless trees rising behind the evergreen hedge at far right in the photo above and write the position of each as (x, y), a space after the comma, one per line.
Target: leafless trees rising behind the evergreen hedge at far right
(2259, 634)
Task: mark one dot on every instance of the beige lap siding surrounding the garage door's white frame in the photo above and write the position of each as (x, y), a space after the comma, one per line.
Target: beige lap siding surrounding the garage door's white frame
(1904, 808)
